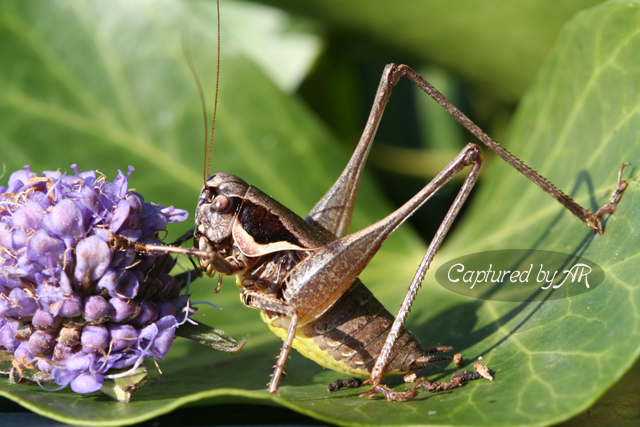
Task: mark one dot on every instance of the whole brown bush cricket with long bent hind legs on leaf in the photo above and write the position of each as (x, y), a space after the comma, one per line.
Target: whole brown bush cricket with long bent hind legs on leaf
(303, 273)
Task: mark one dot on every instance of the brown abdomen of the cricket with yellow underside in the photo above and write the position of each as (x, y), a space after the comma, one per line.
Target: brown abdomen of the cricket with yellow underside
(349, 336)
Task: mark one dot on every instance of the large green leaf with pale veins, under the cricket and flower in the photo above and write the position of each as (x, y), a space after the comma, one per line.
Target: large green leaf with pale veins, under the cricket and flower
(105, 85)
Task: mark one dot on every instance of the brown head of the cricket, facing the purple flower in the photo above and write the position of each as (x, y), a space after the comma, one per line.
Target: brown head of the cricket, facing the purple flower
(218, 206)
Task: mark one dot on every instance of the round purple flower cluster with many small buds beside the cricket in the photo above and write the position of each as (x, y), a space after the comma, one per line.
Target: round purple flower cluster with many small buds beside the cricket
(71, 304)
